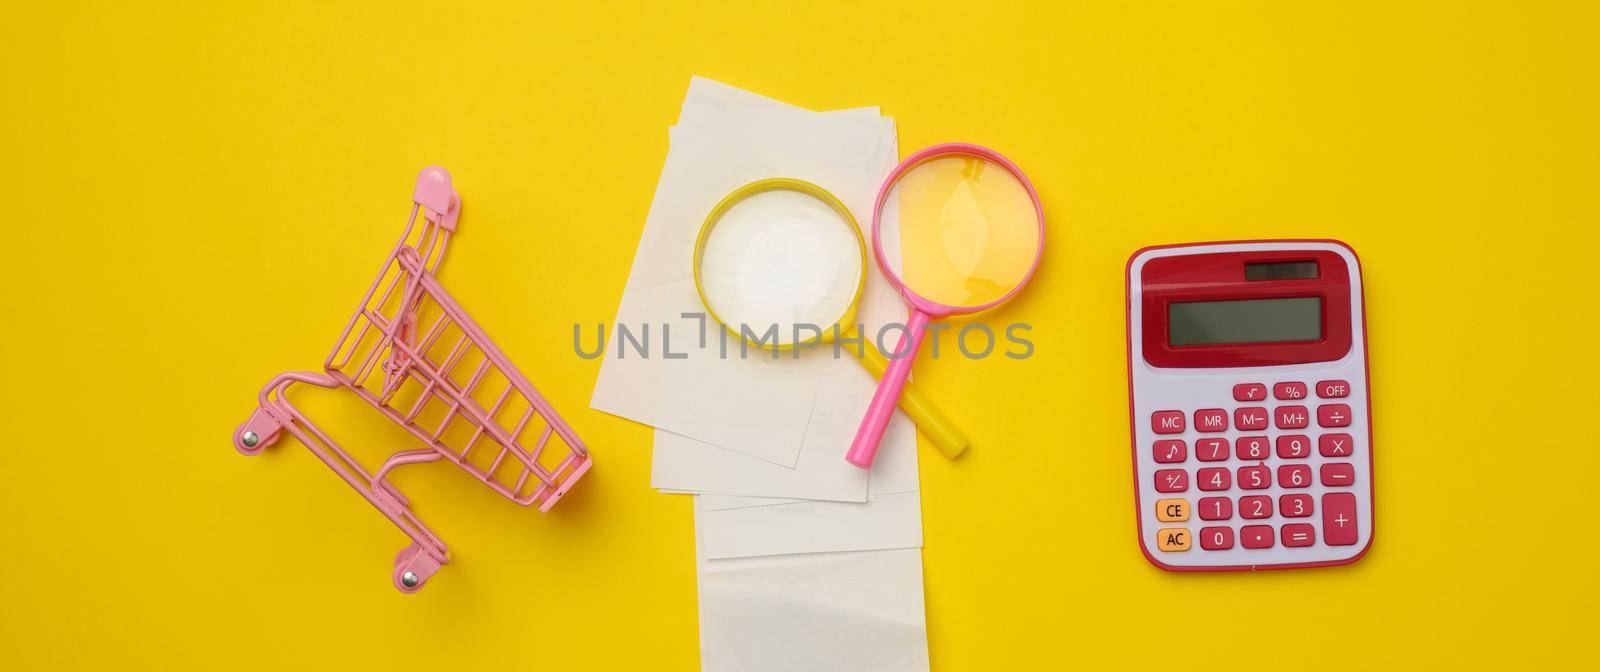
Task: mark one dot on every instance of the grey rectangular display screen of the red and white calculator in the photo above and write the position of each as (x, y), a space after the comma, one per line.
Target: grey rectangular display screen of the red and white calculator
(1247, 321)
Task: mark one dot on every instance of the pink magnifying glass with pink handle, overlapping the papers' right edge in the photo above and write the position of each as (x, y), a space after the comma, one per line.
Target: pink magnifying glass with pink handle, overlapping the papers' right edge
(959, 230)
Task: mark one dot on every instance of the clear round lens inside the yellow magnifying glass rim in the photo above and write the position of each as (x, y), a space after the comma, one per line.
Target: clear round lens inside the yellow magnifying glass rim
(777, 260)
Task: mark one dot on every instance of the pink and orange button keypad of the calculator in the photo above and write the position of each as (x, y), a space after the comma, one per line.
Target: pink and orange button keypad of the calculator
(1290, 482)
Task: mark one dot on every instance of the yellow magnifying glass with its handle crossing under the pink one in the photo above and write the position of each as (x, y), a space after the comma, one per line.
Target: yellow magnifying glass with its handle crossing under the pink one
(782, 265)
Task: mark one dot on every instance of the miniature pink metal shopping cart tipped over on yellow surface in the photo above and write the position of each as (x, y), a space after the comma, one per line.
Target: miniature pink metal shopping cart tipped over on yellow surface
(414, 354)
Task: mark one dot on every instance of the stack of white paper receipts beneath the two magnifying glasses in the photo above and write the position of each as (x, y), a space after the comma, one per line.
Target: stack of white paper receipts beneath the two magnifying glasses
(806, 562)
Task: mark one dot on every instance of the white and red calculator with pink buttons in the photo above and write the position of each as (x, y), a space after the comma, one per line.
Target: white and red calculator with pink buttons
(1250, 407)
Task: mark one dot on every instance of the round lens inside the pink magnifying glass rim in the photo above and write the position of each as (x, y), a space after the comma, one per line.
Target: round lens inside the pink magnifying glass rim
(959, 231)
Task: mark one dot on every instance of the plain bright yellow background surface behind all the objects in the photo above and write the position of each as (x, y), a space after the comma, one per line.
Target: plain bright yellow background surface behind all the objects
(196, 198)
